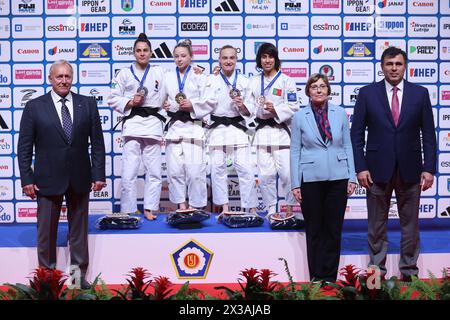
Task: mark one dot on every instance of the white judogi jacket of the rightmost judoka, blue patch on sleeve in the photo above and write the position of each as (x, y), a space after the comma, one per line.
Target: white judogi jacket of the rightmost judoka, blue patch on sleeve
(283, 95)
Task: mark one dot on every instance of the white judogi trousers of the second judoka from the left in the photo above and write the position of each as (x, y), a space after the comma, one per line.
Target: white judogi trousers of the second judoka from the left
(186, 167)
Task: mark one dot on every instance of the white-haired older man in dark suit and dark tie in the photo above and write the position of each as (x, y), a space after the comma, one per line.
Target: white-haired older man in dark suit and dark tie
(61, 126)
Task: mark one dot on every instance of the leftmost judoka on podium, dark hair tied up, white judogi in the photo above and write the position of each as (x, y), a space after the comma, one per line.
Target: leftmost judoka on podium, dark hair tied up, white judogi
(137, 92)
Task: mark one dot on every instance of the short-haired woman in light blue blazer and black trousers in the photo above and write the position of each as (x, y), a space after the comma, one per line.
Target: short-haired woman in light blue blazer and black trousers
(322, 175)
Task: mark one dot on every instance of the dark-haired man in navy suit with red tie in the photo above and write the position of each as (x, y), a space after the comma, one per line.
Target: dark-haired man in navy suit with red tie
(396, 113)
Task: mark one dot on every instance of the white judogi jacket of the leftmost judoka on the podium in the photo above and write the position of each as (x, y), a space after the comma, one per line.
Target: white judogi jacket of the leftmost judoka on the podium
(123, 88)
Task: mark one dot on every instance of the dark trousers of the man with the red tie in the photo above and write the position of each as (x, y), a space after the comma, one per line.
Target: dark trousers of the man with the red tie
(378, 205)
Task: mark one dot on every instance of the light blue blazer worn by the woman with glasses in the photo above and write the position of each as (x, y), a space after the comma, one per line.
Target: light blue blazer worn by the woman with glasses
(314, 160)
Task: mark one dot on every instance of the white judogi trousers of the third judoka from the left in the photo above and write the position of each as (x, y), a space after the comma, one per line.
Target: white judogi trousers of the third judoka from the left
(241, 156)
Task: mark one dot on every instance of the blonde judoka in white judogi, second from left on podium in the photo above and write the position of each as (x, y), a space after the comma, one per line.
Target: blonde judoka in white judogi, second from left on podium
(187, 104)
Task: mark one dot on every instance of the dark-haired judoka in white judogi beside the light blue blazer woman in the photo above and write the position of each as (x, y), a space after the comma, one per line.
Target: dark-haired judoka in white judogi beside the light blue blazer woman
(276, 102)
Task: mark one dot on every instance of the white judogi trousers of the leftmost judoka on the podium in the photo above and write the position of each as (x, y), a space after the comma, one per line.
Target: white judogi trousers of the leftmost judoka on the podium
(149, 151)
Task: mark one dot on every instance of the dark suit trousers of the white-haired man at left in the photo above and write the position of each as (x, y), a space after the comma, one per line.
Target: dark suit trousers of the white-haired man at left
(49, 208)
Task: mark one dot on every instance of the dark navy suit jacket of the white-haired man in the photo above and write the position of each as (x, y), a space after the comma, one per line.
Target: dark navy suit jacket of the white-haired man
(58, 162)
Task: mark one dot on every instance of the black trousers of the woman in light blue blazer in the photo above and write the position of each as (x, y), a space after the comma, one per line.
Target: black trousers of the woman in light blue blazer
(323, 207)
